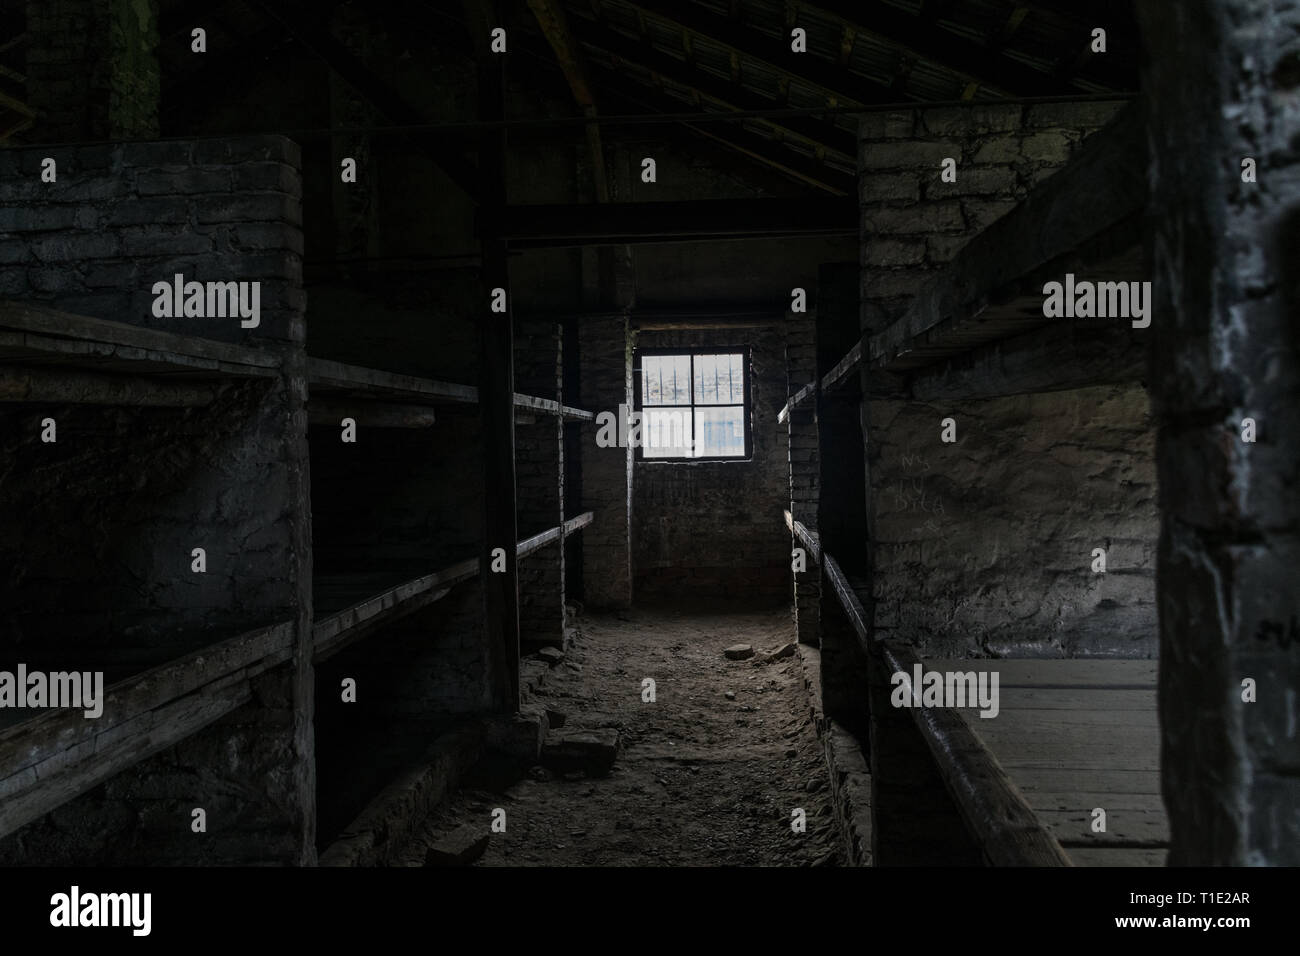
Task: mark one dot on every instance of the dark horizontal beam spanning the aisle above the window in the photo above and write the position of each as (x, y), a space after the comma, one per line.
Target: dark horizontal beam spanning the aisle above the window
(590, 224)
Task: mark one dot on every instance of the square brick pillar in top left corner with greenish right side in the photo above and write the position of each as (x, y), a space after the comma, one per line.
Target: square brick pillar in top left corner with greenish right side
(93, 70)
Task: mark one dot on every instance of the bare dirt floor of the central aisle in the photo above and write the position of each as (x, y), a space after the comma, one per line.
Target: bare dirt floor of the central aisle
(701, 780)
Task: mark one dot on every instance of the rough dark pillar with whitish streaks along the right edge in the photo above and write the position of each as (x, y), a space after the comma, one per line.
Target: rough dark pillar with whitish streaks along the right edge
(1225, 306)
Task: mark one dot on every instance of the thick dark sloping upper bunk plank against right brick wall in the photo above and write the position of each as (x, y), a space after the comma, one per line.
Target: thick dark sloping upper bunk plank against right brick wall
(1094, 193)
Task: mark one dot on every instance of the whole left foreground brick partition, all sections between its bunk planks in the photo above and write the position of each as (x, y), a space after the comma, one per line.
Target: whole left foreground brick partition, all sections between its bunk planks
(96, 561)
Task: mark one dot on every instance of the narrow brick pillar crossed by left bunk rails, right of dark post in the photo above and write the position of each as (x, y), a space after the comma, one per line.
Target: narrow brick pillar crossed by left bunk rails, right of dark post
(539, 471)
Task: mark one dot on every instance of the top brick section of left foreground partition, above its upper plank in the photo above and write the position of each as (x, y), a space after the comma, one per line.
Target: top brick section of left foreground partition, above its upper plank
(123, 218)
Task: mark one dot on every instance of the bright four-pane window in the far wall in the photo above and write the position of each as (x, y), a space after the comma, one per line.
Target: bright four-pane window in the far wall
(695, 405)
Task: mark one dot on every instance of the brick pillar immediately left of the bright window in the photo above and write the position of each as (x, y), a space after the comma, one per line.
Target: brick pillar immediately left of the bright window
(606, 364)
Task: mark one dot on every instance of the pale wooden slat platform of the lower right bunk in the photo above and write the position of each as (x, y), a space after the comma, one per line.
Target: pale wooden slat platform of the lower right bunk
(1077, 736)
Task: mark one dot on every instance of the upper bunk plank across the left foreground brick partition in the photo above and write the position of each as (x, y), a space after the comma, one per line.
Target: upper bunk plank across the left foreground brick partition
(176, 349)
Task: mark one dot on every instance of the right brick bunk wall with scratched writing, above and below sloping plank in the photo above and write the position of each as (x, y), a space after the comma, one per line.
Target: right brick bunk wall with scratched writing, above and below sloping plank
(985, 547)
